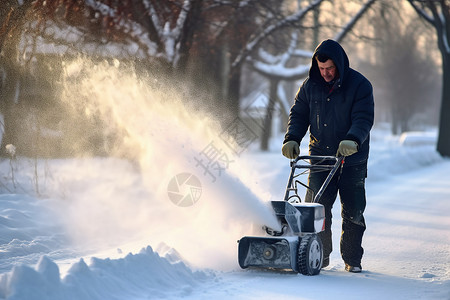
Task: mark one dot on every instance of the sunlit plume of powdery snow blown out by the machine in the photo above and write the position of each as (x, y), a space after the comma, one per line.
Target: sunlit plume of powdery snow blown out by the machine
(184, 187)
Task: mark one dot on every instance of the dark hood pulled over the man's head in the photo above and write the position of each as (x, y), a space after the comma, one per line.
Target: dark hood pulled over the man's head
(333, 50)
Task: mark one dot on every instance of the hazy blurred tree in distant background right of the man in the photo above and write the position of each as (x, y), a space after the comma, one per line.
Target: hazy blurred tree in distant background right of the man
(406, 76)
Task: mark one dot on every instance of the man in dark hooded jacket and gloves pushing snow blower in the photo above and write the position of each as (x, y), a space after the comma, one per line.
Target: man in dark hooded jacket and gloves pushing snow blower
(336, 104)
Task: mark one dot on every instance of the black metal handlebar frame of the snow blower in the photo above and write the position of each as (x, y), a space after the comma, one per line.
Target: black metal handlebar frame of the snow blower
(317, 163)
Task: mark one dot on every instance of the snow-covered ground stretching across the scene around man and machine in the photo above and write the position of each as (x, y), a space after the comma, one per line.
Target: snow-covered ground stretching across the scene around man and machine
(83, 244)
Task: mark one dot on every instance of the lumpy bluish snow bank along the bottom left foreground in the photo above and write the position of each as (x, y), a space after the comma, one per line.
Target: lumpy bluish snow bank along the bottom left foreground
(143, 273)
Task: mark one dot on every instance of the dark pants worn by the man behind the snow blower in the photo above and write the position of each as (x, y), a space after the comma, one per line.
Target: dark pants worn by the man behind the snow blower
(351, 187)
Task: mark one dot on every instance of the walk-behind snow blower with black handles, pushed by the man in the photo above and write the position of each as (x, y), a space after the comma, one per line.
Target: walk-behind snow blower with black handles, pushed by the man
(297, 247)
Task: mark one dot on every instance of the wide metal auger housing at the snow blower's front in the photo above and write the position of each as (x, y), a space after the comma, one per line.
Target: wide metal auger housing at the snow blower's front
(268, 252)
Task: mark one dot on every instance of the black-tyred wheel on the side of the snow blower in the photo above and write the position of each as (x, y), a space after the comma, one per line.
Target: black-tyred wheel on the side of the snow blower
(310, 255)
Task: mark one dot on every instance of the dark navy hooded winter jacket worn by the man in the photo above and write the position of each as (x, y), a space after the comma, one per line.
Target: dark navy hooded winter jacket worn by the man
(332, 113)
